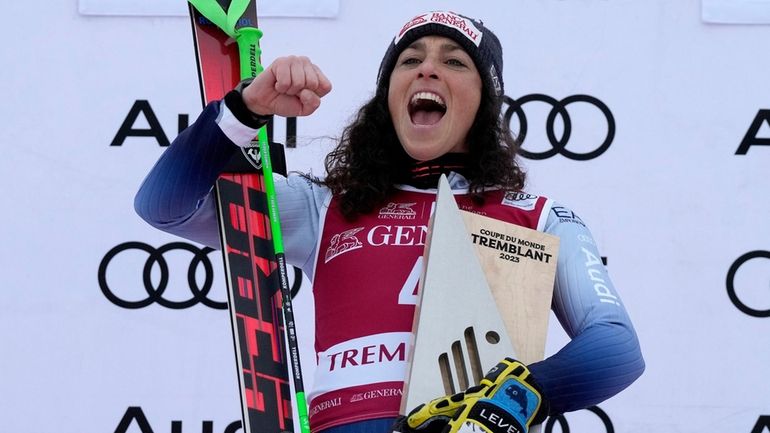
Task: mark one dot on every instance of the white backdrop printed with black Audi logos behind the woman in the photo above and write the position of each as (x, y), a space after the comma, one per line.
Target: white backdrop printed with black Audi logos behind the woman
(670, 202)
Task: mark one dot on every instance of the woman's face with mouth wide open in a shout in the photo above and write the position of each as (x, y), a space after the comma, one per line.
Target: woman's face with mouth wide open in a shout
(434, 94)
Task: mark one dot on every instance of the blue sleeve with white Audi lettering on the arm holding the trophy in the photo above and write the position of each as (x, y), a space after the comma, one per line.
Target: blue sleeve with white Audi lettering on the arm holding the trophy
(603, 356)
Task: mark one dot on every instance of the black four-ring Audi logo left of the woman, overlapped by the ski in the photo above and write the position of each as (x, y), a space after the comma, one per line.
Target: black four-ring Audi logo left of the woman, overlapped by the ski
(156, 270)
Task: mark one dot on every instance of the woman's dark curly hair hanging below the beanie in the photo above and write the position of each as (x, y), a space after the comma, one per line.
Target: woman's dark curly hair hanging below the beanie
(369, 159)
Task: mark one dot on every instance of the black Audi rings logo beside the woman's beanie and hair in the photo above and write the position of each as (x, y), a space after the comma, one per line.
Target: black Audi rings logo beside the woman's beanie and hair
(559, 126)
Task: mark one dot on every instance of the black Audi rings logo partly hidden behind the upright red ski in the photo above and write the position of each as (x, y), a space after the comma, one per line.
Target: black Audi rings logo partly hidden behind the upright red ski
(155, 290)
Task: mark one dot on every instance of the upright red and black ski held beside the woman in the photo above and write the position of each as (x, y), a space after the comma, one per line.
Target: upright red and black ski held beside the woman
(252, 272)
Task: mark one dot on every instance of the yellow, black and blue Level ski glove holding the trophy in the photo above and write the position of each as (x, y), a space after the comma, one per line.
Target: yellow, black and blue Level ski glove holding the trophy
(506, 401)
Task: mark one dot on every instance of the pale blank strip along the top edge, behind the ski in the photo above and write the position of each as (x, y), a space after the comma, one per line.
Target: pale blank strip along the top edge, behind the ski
(267, 8)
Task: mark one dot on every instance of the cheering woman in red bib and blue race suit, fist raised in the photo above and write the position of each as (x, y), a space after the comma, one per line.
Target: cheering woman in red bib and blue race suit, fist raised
(436, 110)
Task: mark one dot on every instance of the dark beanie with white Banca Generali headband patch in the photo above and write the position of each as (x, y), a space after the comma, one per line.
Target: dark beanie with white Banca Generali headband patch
(478, 41)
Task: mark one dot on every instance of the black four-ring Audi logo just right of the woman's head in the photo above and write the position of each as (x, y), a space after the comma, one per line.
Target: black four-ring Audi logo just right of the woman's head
(558, 138)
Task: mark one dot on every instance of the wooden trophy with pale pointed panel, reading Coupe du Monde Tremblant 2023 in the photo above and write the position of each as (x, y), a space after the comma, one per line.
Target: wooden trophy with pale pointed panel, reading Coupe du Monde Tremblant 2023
(484, 295)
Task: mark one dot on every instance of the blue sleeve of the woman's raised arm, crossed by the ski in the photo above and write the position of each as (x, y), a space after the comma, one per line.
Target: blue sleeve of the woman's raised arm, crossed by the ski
(177, 195)
